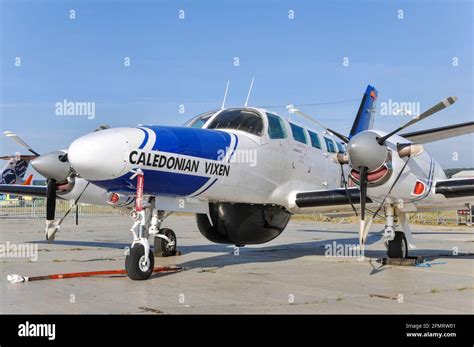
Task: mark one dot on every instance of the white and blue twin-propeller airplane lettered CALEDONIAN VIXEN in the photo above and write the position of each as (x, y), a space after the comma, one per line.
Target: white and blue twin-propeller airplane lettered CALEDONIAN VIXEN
(245, 171)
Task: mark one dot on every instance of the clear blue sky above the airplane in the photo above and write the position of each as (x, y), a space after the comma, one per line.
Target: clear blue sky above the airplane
(189, 61)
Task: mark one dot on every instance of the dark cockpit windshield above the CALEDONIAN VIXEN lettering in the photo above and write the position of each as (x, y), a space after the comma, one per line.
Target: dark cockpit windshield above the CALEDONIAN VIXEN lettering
(238, 119)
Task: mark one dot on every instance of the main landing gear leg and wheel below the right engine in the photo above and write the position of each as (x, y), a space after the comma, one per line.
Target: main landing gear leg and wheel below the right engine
(395, 236)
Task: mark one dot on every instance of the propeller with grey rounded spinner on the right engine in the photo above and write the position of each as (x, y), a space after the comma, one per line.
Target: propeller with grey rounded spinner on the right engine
(367, 152)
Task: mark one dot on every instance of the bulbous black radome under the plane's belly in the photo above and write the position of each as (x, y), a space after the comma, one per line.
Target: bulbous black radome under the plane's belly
(242, 224)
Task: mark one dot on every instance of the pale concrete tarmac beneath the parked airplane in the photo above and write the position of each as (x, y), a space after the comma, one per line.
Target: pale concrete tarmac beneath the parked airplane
(291, 274)
